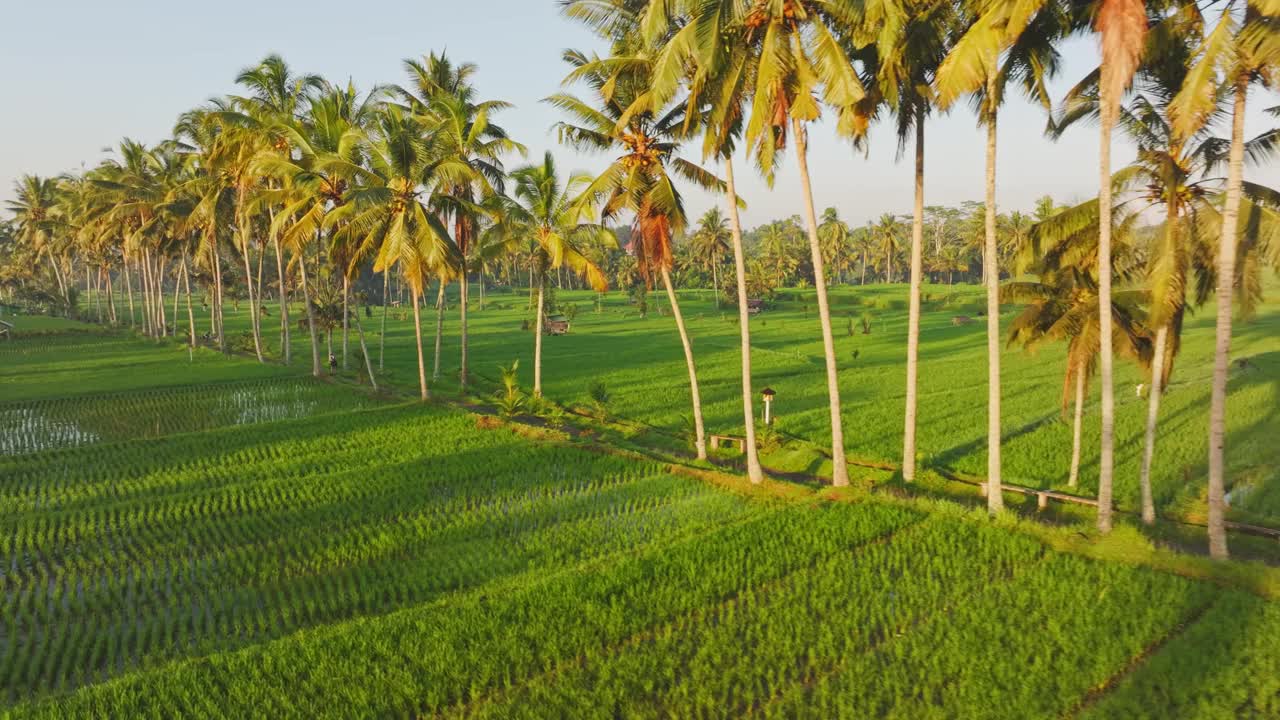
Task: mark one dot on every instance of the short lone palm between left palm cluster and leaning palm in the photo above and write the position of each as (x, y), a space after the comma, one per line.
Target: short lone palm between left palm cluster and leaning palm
(550, 215)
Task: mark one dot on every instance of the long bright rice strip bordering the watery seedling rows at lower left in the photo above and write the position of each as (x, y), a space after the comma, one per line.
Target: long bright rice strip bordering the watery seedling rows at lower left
(433, 657)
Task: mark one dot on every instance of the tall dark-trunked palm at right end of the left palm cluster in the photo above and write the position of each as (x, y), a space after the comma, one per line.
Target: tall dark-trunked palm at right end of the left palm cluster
(464, 130)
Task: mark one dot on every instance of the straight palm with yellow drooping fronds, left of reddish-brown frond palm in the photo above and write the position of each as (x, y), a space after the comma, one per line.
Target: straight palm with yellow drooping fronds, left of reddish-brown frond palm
(1003, 43)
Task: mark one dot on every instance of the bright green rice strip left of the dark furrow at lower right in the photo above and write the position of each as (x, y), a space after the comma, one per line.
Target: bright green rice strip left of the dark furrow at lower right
(1091, 618)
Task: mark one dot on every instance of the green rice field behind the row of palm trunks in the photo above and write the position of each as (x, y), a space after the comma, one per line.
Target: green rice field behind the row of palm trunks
(641, 362)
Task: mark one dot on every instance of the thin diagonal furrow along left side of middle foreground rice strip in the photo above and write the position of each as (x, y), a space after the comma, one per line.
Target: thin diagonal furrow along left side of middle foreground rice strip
(467, 708)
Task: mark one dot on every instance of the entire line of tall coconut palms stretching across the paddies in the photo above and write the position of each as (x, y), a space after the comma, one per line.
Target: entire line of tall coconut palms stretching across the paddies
(412, 177)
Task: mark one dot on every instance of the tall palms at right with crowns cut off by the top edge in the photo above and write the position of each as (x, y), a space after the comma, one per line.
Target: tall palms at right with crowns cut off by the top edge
(758, 72)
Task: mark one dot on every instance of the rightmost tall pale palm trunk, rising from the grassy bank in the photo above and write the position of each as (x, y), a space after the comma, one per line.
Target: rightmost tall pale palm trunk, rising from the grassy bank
(1223, 344)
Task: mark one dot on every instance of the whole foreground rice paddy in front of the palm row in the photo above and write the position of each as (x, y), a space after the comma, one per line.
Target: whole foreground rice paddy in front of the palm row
(353, 558)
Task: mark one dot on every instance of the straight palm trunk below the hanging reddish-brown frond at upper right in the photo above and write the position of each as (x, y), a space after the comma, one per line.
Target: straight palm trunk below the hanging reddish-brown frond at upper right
(1107, 455)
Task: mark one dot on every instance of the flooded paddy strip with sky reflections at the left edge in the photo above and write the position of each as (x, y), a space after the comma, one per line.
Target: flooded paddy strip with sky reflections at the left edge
(39, 426)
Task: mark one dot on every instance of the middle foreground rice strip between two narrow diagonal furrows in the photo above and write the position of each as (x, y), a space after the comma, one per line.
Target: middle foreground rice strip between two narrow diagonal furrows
(730, 659)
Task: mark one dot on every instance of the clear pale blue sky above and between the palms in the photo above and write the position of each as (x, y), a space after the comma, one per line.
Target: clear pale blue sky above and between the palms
(81, 75)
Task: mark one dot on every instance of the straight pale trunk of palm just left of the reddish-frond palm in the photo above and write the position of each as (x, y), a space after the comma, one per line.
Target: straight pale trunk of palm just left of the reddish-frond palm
(995, 498)
